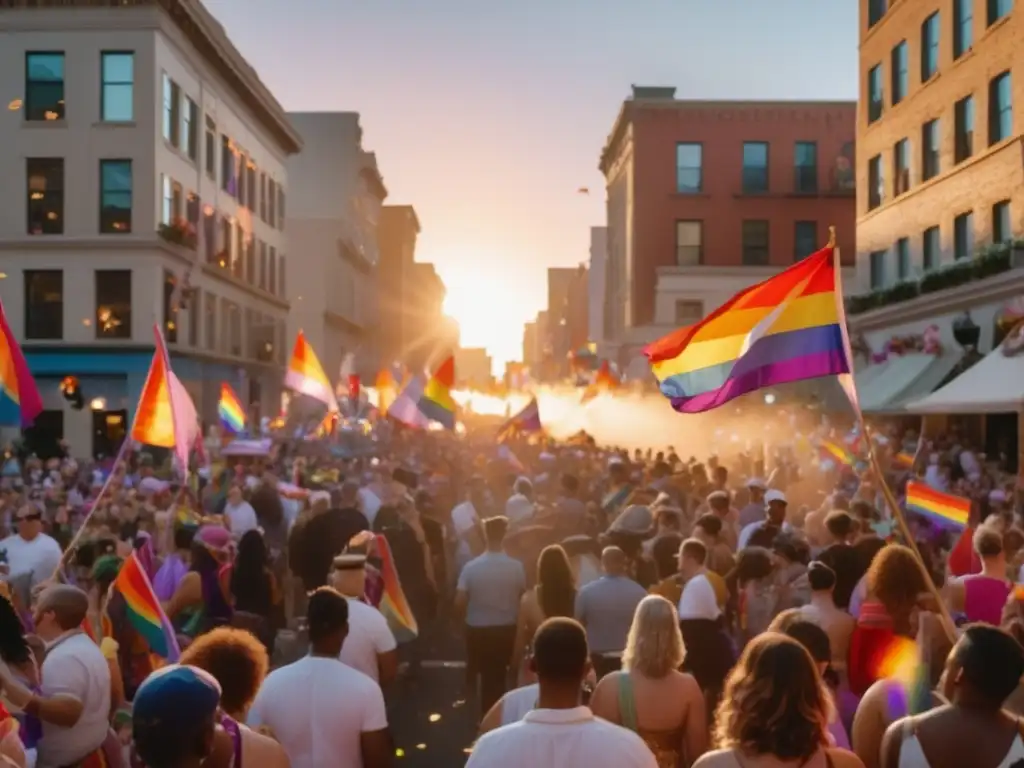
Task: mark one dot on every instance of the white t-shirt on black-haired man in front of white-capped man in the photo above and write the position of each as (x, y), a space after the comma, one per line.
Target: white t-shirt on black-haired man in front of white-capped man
(318, 708)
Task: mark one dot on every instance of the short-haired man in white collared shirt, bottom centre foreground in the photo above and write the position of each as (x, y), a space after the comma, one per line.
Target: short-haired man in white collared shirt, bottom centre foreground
(559, 732)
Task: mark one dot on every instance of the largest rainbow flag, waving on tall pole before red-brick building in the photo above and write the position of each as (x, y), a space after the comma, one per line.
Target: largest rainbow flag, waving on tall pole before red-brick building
(785, 329)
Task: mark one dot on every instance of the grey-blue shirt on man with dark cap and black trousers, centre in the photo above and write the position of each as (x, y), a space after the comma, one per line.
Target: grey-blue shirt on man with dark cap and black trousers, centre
(494, 583)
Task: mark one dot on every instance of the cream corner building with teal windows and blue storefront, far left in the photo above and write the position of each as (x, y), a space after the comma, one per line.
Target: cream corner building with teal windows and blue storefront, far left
(151, 167)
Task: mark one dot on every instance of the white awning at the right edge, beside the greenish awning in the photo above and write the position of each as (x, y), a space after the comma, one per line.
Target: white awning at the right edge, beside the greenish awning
(994, 386)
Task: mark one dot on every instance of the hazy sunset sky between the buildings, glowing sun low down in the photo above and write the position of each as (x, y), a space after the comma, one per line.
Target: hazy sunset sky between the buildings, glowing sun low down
(488, 116)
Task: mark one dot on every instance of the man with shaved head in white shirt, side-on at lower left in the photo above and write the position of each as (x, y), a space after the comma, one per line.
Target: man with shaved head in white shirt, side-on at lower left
(75, 702)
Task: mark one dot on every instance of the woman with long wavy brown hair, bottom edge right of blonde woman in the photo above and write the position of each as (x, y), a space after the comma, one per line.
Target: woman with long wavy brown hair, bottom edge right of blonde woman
(775, 712)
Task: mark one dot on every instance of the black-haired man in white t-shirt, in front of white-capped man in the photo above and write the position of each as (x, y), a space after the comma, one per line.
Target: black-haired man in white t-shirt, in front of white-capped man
(323, 712)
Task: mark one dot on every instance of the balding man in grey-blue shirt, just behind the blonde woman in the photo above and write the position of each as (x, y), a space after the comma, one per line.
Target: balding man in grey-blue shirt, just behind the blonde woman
(606, 609)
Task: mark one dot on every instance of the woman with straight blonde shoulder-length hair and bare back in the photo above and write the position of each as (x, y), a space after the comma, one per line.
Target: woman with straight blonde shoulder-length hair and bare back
(651, 697)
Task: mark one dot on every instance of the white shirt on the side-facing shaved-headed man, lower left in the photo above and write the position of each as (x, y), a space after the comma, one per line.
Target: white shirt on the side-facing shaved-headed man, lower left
(75, 667)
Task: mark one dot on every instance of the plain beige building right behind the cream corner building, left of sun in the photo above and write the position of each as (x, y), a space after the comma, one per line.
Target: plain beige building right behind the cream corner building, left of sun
(333, 220)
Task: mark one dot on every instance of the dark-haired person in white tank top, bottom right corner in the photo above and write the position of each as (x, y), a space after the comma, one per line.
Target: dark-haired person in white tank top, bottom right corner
(984, 669)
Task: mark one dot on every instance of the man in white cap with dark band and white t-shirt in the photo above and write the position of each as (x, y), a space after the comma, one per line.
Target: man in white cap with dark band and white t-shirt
(370, 647)
